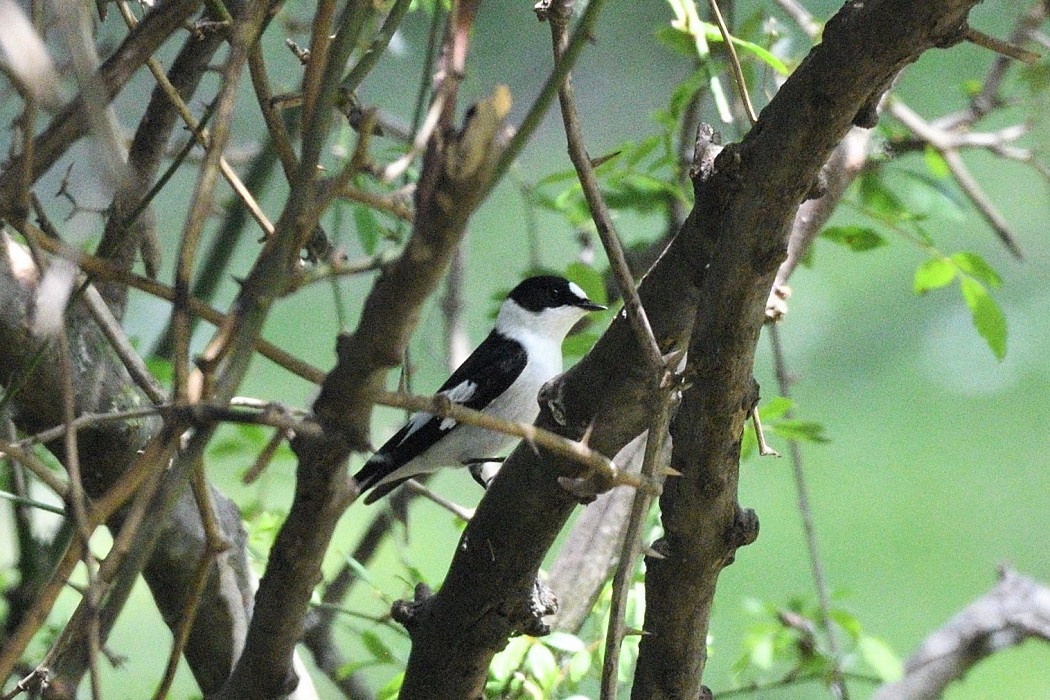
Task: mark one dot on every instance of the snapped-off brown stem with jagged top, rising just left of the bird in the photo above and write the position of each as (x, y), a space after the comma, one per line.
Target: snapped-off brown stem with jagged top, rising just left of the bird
(456, 169)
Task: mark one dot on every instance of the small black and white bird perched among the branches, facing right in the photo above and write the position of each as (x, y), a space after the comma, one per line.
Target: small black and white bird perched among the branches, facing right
(502, 378)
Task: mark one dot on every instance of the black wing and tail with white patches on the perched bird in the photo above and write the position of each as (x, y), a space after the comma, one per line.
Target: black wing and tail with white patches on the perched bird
(493, 367)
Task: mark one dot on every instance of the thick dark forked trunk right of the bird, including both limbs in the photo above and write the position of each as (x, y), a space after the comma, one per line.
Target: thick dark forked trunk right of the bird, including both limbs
(721, 265)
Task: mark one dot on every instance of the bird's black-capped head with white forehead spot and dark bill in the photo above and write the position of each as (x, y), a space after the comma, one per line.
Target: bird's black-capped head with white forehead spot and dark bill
(545, 306)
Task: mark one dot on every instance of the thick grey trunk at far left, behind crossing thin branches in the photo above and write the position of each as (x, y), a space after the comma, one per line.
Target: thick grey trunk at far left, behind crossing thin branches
(106, 453)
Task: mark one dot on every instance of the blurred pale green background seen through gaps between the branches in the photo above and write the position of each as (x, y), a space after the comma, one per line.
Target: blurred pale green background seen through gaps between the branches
(937, 470)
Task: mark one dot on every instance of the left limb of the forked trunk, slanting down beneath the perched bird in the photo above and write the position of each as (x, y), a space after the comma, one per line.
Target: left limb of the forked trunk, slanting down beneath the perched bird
(489, 593)
